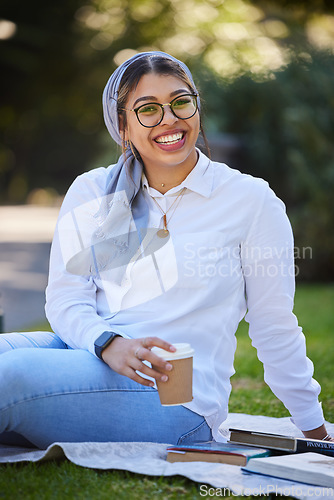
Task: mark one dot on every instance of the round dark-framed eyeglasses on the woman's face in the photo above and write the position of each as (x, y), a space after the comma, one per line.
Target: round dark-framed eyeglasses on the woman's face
(151, 114)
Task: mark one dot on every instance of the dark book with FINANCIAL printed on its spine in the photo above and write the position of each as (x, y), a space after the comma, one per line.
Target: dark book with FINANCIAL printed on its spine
(281, 443)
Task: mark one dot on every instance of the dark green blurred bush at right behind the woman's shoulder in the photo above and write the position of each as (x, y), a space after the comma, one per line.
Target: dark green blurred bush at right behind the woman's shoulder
(286, 125)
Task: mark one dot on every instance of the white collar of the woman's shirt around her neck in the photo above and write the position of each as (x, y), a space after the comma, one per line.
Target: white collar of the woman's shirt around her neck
(199, 180)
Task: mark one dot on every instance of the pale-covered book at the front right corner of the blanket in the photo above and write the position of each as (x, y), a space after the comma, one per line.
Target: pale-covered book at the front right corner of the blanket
(310, 468)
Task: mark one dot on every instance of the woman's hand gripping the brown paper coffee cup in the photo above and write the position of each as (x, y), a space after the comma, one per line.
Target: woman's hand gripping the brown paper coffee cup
(126, 356)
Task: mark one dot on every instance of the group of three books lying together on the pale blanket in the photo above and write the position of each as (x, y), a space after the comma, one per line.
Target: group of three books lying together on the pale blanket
(299, 459)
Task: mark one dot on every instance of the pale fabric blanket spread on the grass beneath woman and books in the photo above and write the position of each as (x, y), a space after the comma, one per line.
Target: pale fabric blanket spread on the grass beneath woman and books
(150, 459)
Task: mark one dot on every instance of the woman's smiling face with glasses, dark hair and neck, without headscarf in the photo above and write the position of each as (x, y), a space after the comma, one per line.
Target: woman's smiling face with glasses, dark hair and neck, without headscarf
(158, 94)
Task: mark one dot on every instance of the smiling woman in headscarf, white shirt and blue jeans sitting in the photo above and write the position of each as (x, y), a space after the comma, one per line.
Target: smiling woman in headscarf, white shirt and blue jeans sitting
(164, 247)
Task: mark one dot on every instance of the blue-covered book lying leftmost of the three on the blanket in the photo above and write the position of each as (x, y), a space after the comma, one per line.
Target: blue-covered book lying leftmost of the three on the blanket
(212, 451)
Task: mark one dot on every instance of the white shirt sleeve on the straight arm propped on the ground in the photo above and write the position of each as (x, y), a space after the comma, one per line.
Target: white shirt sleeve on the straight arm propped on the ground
(268, 266)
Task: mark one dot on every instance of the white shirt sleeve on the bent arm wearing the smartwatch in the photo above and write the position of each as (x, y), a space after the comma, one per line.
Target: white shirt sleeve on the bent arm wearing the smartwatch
(71, 306)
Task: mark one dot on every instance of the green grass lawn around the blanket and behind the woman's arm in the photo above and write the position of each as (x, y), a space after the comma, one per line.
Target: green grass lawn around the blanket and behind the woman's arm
(64, 480)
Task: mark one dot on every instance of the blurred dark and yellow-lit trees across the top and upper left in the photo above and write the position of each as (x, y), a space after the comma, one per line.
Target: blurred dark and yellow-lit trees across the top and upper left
(57, 57)
